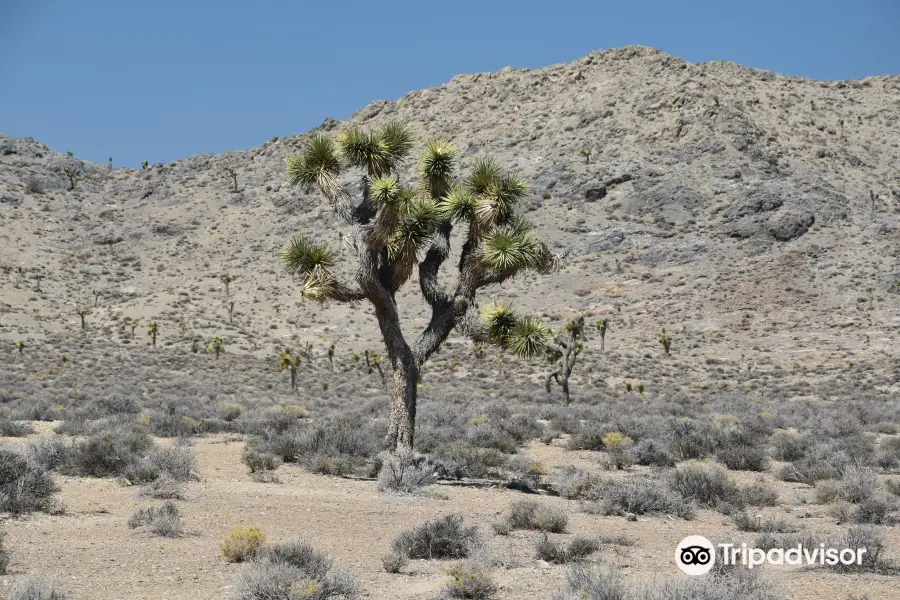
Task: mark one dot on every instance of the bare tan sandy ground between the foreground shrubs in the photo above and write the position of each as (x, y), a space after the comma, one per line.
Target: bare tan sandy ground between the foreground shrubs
(92, 551)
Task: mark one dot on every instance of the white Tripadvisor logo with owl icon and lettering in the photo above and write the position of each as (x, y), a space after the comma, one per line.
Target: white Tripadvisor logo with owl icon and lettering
(696, 555)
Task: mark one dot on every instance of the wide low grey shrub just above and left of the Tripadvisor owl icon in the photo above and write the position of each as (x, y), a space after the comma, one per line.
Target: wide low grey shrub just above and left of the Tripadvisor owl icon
(638, 496)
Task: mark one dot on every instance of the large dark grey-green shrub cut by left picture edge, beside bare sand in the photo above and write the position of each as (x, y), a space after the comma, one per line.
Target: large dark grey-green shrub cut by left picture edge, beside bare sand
(24, 487)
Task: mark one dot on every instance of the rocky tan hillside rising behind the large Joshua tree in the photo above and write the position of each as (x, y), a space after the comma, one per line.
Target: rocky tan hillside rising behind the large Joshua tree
(755, 215)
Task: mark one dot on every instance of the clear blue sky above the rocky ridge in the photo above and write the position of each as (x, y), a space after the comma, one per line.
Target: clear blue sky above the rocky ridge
(165, 79)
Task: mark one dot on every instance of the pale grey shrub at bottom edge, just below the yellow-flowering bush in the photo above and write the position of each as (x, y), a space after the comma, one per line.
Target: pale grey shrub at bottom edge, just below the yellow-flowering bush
(294, 571)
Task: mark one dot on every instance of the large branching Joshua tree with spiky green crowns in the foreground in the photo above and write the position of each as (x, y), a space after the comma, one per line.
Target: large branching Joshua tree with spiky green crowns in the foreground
(396, 229)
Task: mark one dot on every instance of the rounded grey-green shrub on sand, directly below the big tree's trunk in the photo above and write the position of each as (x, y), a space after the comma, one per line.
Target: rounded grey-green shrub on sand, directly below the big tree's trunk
(446, 537)
